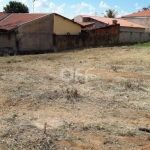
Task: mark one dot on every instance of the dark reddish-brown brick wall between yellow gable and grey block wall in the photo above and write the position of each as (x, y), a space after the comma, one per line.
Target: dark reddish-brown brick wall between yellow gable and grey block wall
(96, 37)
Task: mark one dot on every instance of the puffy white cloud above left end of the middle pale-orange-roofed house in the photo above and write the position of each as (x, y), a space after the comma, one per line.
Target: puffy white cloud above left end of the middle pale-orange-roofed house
(81, 7)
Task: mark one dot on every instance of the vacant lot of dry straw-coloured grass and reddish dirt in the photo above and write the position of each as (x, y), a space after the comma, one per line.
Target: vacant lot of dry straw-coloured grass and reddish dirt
(92, 99)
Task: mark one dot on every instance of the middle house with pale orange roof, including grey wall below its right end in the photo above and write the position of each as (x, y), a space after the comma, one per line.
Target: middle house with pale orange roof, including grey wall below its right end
(129, 32)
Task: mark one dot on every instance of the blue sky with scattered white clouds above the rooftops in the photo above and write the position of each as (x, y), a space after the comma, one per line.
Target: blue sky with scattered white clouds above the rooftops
(70, 8)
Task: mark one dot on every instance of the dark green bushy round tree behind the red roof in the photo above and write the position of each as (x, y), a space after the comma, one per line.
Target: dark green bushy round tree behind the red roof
(16, 7)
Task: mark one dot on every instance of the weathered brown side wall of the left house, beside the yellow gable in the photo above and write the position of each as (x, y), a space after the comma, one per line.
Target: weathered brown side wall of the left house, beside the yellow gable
(36, 36)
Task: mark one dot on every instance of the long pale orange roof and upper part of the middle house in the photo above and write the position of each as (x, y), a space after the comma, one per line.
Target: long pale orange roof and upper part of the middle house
(103, 22)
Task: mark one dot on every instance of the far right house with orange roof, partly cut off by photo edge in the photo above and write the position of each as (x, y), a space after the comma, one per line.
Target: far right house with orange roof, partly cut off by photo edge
(142, 18)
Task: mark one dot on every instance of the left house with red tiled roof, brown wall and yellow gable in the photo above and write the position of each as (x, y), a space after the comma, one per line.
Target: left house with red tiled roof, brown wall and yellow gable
(33, 32)
